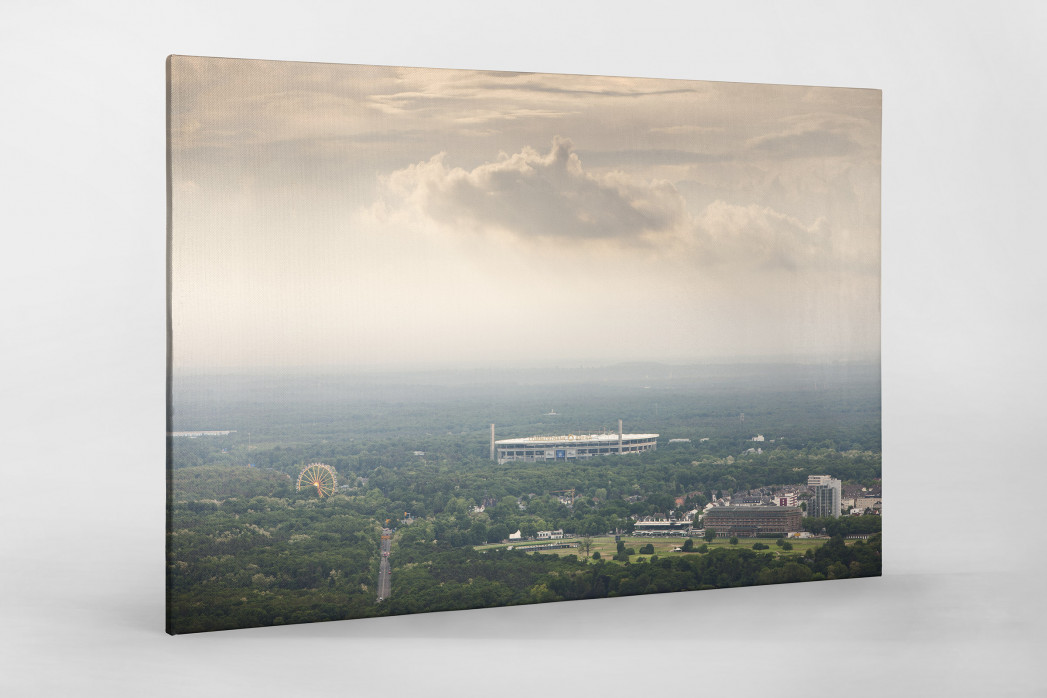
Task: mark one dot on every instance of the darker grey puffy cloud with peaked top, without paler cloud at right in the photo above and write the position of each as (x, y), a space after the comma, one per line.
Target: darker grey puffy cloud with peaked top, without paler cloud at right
(534, 196)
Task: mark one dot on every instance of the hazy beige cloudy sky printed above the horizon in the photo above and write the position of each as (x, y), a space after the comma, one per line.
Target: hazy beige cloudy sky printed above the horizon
(384, 218)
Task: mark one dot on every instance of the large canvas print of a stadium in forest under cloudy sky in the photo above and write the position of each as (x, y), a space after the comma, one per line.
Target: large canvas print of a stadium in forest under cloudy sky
(454, 340)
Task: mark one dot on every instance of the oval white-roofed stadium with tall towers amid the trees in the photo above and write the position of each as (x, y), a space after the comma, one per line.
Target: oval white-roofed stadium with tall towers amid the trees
(570, 447)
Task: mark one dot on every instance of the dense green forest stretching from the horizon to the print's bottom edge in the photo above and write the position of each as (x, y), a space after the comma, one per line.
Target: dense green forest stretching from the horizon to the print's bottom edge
(246, 549)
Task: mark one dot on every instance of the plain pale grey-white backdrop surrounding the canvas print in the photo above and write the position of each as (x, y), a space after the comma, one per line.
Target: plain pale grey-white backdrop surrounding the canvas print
(83, 346)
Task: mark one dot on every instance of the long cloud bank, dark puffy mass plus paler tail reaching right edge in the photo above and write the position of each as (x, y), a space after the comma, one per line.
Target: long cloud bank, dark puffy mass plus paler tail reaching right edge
(532, 200)
